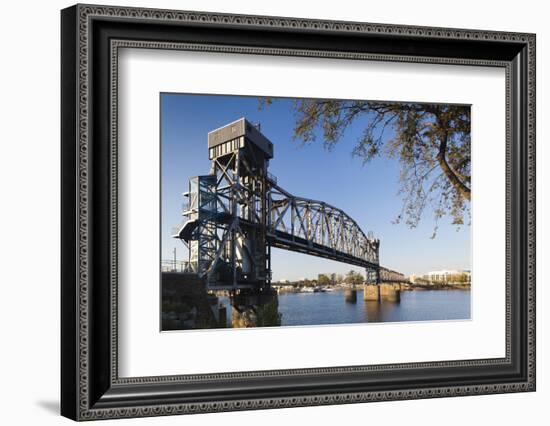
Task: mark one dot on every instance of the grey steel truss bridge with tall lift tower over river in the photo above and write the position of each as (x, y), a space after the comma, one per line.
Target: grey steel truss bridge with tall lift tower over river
(238, 212)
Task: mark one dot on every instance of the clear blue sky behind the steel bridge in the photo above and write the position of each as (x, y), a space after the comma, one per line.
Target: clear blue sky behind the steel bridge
(367, 193)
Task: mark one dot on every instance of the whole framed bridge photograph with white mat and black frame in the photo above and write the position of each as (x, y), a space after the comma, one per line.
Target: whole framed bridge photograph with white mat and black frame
(263, 212)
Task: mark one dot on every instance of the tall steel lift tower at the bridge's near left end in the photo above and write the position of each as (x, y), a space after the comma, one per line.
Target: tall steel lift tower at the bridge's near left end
(227, 211)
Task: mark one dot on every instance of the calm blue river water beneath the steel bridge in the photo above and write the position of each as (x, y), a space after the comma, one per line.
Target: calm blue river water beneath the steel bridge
(331, 308)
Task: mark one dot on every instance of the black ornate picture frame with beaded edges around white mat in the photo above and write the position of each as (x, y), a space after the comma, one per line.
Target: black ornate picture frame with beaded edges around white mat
(90, 38)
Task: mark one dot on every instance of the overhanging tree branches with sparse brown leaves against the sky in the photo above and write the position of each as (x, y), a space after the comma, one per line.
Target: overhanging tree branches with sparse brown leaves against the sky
(430, 141)
